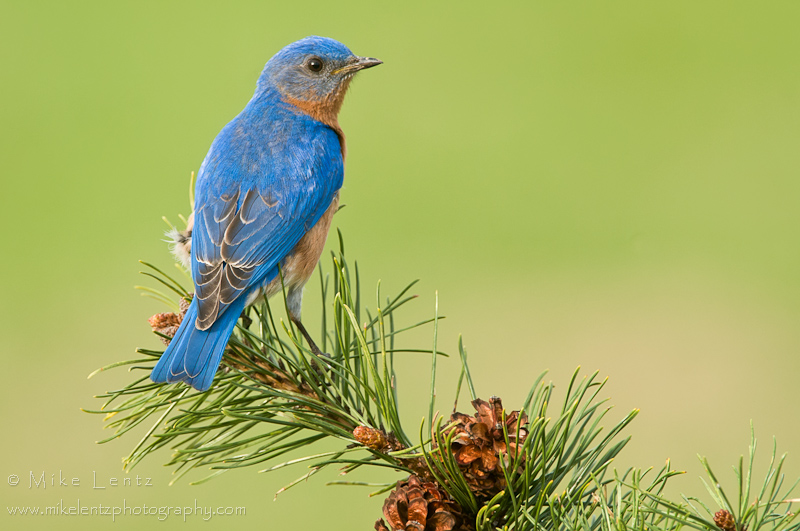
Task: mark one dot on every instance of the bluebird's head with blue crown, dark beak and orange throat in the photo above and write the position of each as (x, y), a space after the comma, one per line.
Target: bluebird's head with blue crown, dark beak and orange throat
(313, 74)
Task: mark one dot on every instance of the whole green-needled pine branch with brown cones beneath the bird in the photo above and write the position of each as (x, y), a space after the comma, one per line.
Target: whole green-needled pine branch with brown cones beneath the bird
(534, 468)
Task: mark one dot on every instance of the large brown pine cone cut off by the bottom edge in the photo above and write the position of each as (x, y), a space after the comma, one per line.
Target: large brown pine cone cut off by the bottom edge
(416, 505)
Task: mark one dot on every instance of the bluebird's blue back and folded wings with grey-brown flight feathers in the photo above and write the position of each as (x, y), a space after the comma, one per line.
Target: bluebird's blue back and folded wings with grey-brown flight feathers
(252, 209)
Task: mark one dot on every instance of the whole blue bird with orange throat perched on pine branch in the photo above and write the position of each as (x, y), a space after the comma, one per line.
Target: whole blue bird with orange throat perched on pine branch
(264, 199)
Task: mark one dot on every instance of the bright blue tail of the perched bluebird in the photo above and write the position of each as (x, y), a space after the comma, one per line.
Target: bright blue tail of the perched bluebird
(193, 356)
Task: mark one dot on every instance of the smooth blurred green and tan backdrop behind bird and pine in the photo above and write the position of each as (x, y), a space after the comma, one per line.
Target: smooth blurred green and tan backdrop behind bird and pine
(605, 184)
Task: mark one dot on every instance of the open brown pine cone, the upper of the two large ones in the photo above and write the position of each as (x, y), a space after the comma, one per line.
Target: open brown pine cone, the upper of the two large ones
(479, 444)
